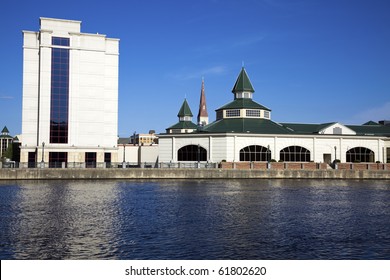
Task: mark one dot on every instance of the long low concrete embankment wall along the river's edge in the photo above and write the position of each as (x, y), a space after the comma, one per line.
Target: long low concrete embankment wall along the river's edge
(162, 173)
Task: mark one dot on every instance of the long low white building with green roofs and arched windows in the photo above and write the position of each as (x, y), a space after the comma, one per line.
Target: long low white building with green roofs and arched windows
(244, 131)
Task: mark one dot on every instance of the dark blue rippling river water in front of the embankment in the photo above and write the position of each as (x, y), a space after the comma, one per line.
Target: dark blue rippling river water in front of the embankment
(195, 219)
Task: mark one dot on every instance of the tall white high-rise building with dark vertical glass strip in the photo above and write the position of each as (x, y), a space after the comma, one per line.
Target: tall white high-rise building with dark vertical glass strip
(70, 95)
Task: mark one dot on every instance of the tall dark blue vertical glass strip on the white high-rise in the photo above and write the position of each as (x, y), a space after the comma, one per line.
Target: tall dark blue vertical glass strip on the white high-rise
(59, 91)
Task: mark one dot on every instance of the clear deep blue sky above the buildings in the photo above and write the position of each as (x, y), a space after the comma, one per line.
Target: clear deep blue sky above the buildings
(310, 61)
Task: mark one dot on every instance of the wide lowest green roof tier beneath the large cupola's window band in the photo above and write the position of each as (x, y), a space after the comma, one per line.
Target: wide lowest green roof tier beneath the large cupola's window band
(245, 125)
